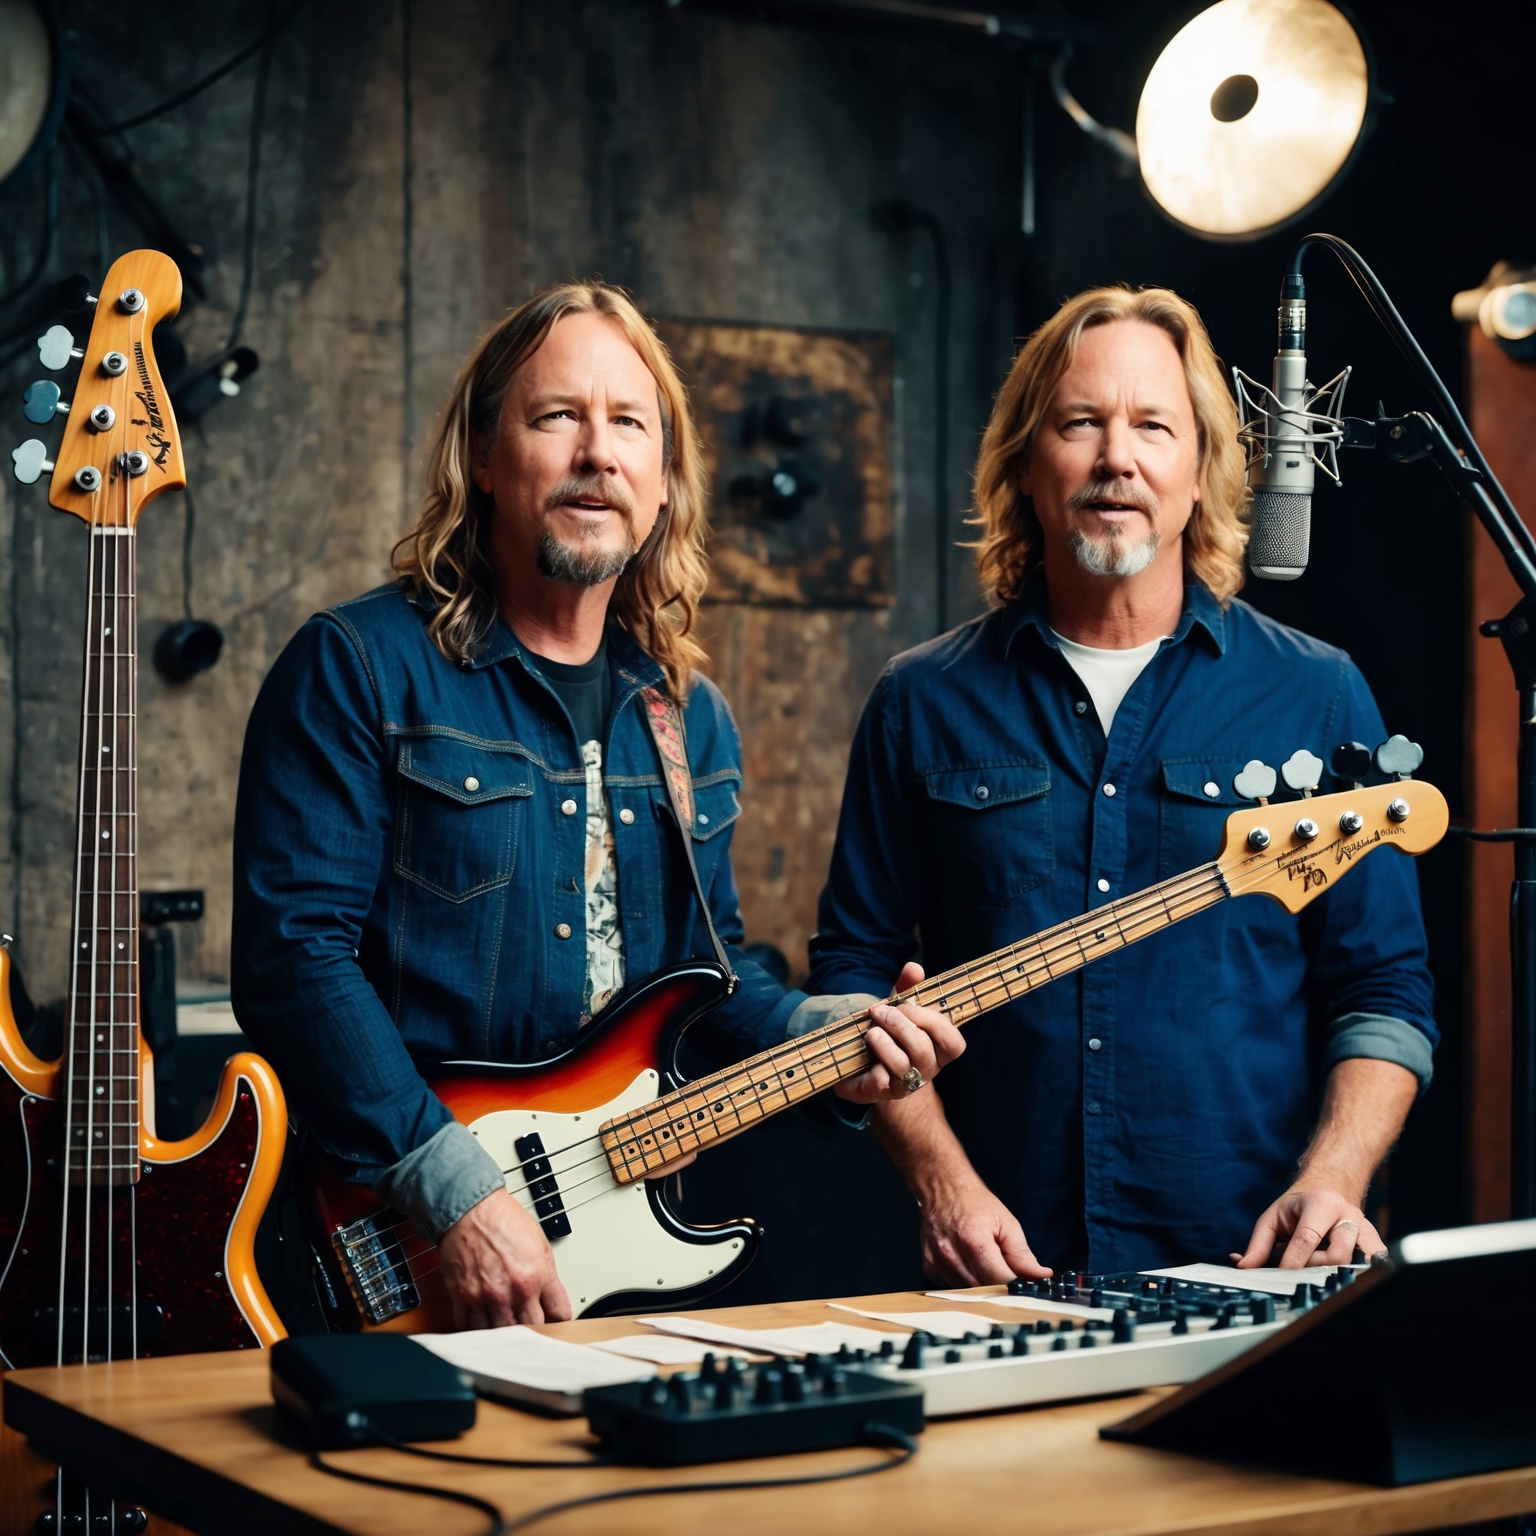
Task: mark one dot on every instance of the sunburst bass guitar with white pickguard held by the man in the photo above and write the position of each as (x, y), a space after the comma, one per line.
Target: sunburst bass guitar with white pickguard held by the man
(584, 1139)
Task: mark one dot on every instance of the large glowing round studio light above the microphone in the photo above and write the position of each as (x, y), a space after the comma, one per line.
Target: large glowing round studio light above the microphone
(1251, 114)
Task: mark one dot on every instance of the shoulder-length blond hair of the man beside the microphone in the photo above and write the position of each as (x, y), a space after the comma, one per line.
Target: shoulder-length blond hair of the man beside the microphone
(1216, 538)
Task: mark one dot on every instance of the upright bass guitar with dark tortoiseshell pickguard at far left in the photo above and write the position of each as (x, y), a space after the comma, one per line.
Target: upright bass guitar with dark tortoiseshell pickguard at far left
(116, 1245)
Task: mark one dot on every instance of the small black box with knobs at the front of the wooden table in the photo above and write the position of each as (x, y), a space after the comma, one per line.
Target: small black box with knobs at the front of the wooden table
(764, 1411)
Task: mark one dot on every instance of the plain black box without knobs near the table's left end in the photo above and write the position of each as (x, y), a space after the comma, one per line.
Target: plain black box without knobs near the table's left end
(333, 1386)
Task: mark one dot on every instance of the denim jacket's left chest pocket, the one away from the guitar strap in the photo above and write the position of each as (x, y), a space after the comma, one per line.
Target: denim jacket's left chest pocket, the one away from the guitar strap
(460, 815)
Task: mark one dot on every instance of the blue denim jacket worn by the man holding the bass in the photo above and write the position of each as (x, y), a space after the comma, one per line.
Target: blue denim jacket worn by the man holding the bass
(405, 866)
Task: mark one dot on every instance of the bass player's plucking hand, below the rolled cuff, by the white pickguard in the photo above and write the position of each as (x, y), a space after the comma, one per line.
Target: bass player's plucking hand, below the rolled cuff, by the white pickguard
(498, 1268)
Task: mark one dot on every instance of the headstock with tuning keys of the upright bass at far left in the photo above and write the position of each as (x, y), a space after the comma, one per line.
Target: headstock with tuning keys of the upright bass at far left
(121, 446)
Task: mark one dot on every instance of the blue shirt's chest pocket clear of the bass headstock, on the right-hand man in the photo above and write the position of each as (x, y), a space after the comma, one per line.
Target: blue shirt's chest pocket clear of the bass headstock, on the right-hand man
(991, 830)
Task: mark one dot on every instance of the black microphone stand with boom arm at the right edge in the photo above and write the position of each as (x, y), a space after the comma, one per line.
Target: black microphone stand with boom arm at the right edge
(1408, 440)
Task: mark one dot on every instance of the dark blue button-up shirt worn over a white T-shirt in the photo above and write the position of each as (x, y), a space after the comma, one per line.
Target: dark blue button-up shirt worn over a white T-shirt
(1148, 1108)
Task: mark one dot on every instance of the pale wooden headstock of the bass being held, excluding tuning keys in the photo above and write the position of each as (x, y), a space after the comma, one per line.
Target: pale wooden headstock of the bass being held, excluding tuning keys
(1293, 852)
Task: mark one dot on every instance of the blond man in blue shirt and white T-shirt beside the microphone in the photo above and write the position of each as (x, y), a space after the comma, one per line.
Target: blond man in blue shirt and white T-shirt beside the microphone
(1073, 747)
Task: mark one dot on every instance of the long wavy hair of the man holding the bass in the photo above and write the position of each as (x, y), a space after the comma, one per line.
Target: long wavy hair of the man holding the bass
(445, 560)
